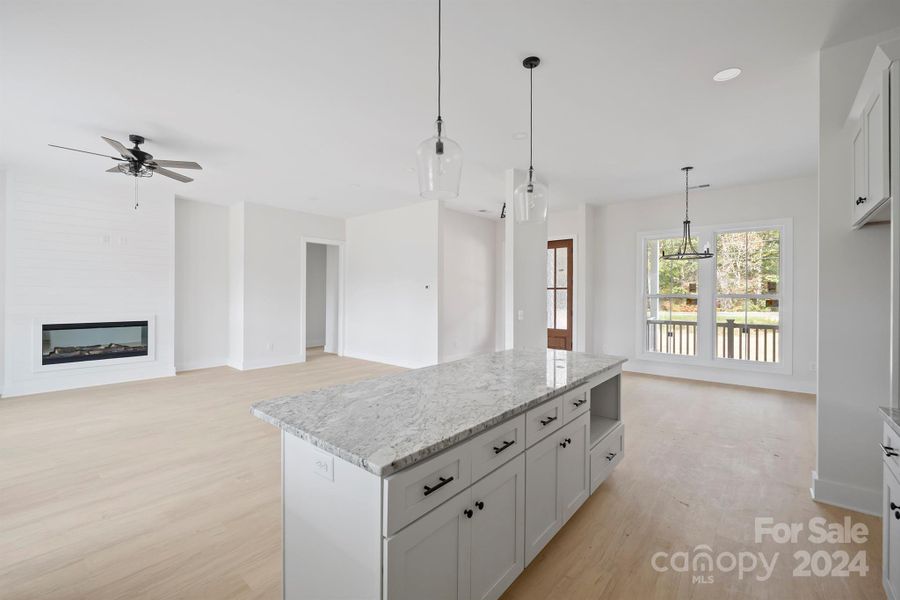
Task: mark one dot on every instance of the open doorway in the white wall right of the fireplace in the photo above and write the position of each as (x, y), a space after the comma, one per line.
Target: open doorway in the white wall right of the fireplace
(322, 298)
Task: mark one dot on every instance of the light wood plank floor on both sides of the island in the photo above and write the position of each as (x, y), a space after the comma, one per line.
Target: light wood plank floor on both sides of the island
(170, 489)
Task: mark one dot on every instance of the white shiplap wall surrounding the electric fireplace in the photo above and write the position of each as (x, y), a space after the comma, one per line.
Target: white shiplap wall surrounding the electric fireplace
(75, 254)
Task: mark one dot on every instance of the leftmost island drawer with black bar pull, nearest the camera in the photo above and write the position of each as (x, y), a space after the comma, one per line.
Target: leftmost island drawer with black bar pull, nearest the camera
(413, 492)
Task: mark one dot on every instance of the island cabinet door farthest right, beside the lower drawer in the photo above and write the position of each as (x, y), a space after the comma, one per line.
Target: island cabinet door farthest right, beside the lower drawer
(574, 466)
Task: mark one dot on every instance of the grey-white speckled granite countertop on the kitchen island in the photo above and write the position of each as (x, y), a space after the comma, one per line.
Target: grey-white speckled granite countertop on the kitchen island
(389, 423)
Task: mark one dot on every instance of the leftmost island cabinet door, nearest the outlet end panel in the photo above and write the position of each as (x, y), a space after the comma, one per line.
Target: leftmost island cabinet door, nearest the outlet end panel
(430, 558)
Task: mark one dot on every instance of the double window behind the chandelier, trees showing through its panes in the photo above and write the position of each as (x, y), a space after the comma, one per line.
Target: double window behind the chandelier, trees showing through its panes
(731, 310)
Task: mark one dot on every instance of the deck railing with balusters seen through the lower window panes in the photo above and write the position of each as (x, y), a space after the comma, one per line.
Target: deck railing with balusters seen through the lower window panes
(756, 342)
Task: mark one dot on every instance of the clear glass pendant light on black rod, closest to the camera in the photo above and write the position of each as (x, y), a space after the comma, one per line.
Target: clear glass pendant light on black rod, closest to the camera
(439, 158)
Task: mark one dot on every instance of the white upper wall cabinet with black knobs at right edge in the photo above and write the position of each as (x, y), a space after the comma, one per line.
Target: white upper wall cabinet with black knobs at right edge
(871, 143)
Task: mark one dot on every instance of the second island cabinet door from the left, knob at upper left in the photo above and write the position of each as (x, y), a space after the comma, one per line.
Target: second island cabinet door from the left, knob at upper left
(497, 553)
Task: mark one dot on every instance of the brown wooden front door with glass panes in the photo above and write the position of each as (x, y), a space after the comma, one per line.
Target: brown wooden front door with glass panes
(559, 294)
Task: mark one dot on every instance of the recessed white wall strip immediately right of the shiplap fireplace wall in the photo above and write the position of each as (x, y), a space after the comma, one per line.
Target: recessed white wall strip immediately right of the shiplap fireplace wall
(201, 284)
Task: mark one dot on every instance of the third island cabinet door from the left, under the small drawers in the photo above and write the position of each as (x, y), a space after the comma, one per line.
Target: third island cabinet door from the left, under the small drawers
(543, 514)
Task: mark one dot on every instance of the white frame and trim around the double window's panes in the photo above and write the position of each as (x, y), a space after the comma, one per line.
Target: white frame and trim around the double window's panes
(705, 355)
